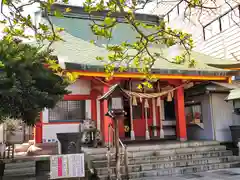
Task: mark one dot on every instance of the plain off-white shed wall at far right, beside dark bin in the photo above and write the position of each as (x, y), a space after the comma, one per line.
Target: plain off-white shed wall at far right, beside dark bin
(222, 117)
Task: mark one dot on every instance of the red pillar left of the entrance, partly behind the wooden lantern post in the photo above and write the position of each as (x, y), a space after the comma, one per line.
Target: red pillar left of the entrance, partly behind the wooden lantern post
(105, 119)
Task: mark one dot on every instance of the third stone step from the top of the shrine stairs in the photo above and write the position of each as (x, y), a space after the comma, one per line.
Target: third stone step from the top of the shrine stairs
(154, 159)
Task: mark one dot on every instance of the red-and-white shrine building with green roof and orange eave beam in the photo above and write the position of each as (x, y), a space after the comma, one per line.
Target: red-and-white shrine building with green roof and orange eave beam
(152, 113)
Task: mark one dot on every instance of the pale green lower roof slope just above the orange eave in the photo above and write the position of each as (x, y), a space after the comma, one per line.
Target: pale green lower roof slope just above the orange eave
(81, 55)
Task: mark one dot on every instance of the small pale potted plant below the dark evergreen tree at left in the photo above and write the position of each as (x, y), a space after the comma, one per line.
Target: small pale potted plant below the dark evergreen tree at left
(14, 131)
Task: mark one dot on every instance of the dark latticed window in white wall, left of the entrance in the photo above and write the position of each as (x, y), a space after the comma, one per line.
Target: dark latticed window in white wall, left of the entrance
(68, 111)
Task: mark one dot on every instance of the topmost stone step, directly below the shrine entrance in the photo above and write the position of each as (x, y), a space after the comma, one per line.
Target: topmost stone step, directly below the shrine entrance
(162, 146)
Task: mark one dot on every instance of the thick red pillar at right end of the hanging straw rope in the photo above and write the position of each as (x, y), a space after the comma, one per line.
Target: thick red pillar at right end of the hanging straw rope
(180, 115)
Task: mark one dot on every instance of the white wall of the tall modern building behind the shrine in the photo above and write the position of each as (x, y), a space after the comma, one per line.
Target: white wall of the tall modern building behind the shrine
(221, 45)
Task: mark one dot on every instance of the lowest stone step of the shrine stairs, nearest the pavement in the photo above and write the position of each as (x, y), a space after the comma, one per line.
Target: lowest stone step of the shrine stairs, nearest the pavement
(147, 175)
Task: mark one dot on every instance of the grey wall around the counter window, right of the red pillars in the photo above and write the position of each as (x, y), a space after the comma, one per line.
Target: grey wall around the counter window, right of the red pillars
(195, 132)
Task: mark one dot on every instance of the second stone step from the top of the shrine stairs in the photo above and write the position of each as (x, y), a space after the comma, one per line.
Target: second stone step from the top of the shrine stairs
(164, 152)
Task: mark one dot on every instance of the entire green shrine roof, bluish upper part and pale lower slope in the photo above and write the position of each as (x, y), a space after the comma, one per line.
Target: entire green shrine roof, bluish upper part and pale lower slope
(78, 53)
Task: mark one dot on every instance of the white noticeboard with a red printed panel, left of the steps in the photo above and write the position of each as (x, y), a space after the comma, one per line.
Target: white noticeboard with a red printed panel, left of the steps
(67, 166)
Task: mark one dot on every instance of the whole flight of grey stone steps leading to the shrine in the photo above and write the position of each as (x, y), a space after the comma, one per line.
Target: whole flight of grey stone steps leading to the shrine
(167, 159)
